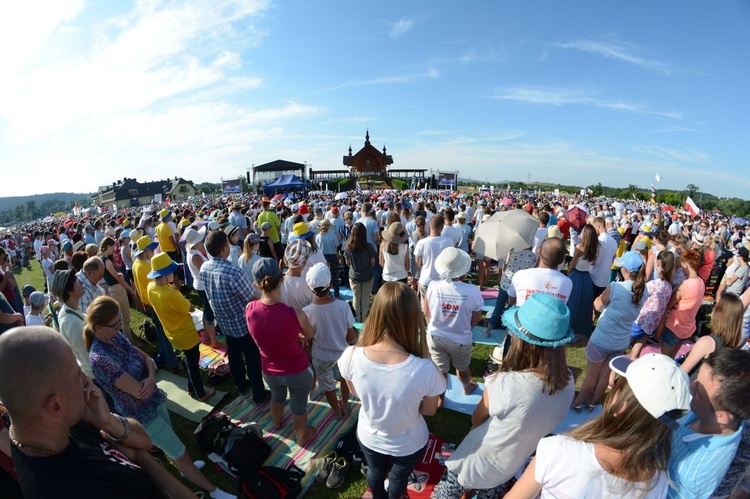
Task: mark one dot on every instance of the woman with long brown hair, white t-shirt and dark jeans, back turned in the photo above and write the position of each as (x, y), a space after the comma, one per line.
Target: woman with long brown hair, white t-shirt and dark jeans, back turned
(390, 371)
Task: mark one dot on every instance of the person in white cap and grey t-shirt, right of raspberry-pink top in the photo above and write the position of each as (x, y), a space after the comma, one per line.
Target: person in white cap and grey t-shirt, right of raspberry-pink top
(333, 326)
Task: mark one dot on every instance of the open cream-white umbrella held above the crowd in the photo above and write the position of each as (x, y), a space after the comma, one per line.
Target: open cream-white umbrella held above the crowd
(505, 231)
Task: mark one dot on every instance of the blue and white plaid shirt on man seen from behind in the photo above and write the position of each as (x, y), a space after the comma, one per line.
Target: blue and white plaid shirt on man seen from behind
(229, 290)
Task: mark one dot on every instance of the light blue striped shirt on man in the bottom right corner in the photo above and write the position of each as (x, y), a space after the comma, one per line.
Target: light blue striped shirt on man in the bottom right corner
(698, 461)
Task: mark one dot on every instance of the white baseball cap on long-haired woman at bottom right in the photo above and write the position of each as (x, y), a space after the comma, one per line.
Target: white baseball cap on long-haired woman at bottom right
(659, 384)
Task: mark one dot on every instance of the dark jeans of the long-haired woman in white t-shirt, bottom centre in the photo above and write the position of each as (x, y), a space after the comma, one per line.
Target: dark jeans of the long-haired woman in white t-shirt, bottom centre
(398, 478)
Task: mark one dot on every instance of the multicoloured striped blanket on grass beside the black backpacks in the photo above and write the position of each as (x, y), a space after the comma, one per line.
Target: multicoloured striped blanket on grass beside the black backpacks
(285, 450)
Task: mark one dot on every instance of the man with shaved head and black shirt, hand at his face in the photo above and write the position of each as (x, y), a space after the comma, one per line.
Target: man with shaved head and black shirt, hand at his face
(64, 439)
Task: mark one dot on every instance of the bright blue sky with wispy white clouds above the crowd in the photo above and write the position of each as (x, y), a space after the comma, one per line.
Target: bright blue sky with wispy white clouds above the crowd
(576, 92)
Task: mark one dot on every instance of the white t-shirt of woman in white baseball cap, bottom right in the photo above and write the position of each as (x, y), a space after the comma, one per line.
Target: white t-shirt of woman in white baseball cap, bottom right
(566, 467)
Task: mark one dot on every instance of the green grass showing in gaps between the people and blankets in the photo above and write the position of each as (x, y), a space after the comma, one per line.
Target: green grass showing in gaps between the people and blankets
(448, 425)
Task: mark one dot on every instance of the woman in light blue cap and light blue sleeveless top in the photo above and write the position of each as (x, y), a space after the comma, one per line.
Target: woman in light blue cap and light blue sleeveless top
(619, 304)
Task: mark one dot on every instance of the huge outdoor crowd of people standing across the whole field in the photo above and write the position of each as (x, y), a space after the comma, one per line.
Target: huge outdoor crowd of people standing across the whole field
(269, 274)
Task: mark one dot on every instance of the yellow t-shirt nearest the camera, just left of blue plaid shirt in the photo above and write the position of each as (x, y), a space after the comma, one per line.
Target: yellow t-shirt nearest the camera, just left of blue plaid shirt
(173, 310)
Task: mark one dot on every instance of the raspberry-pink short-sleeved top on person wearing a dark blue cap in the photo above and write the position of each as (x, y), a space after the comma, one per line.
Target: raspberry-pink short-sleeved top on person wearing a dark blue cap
(275, 329)
